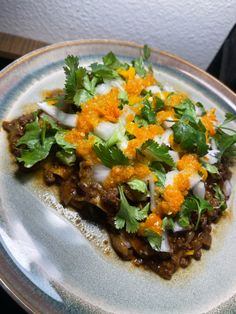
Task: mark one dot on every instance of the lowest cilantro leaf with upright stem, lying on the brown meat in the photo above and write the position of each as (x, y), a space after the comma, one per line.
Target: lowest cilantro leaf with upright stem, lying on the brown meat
(129, 216)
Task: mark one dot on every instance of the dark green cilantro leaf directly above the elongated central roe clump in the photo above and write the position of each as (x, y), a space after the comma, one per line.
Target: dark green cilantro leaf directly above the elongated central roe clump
(110, 156)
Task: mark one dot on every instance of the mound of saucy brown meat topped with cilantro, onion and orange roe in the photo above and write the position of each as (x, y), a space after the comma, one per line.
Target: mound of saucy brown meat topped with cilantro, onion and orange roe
(153, 164)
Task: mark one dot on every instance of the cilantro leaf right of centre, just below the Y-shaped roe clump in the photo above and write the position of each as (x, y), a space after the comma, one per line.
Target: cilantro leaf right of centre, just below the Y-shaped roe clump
(157, 152)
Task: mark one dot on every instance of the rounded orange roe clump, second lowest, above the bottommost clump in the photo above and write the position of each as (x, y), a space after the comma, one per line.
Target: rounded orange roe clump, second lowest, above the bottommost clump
(173, 199)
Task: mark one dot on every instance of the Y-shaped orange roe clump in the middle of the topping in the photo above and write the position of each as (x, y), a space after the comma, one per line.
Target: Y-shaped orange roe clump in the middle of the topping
(141, 135)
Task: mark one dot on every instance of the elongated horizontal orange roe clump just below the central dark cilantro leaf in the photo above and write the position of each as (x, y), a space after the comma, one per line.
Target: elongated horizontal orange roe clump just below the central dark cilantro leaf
(121, 174)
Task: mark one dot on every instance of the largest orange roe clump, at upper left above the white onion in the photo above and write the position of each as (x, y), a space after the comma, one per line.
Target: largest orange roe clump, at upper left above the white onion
(99, 108)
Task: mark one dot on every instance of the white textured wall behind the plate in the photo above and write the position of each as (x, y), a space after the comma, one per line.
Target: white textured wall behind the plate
(193, 29)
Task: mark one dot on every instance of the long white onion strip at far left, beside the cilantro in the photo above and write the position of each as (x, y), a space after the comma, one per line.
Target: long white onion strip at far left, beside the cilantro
(66, 119)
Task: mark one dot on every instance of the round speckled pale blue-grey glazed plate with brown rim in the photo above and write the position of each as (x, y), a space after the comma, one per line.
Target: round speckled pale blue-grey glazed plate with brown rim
(51, 261)
